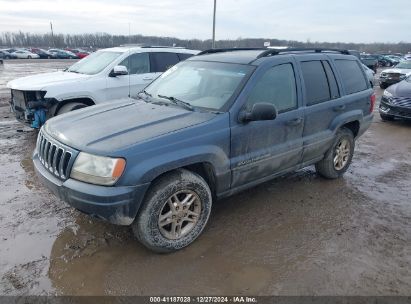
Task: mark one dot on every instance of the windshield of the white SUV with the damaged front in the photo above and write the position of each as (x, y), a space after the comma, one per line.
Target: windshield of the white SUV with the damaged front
(94, 63)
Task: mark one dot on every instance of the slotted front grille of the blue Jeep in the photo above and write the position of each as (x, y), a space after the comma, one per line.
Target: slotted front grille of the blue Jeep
(54, 156)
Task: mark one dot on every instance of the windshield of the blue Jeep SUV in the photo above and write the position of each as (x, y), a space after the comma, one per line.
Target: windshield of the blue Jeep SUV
(200, 84)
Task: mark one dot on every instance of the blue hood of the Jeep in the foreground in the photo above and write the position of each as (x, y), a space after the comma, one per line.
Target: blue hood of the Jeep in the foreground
(109, 127)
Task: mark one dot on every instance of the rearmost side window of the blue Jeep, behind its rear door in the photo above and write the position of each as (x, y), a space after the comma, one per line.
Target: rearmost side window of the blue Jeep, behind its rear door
(352, 75)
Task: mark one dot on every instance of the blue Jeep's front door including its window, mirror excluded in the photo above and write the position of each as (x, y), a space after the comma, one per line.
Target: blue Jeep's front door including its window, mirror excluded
(260, 149)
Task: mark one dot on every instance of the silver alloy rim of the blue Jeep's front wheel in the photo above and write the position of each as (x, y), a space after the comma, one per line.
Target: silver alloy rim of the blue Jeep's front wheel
(179, 214)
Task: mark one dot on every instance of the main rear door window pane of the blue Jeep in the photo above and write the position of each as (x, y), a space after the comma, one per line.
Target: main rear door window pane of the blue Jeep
(316, 83)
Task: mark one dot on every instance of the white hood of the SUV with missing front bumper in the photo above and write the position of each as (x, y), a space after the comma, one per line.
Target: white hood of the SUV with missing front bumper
(42, 81)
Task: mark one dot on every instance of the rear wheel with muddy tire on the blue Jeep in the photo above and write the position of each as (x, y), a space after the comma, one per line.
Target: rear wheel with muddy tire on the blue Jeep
(338, 158)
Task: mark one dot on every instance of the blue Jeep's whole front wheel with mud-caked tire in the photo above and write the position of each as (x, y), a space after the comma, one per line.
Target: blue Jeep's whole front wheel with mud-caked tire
(174, 212)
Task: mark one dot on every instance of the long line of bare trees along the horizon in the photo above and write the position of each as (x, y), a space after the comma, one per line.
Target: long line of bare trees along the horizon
(104, 40)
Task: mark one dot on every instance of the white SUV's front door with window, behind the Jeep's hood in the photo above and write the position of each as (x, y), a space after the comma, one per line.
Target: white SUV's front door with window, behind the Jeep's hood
(138, 66)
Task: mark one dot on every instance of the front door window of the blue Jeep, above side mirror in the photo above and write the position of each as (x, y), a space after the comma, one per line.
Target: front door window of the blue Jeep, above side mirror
(276, 86)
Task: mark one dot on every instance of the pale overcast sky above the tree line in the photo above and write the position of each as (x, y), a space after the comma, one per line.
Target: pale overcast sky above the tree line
(317, 20)
